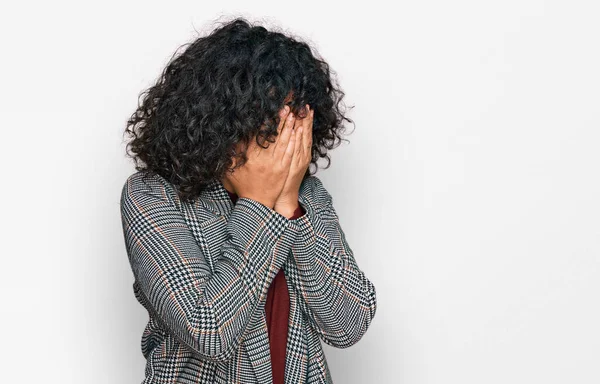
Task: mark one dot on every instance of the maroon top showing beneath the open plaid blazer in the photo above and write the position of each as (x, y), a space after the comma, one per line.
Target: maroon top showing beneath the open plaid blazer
(277, 309)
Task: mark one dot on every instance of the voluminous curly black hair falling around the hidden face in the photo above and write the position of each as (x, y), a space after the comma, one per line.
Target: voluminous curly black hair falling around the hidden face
(226, 88)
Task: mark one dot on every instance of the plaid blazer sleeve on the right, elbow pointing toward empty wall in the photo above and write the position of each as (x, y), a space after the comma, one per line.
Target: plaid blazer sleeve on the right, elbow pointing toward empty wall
(339, 300)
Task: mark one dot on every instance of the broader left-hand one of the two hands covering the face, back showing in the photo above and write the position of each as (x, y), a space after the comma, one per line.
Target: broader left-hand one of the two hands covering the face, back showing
(263, 175)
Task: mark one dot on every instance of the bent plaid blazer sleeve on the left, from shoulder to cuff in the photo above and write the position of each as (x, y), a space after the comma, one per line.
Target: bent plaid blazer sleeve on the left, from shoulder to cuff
(207, 312)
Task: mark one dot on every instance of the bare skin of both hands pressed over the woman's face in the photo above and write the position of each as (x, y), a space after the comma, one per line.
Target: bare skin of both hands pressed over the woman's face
(273, 176)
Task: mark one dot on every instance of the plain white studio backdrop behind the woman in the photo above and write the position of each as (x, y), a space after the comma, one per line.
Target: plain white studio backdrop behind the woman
(469, 190)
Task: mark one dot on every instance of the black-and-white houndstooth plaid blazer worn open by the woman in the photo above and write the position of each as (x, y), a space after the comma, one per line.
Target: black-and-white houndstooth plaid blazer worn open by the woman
(202, 270)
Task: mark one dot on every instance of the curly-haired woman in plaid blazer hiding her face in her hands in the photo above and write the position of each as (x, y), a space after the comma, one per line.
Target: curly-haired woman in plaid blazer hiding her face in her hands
(236, 249)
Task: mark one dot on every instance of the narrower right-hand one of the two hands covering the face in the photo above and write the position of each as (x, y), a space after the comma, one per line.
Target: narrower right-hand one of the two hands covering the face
(288, 198)
